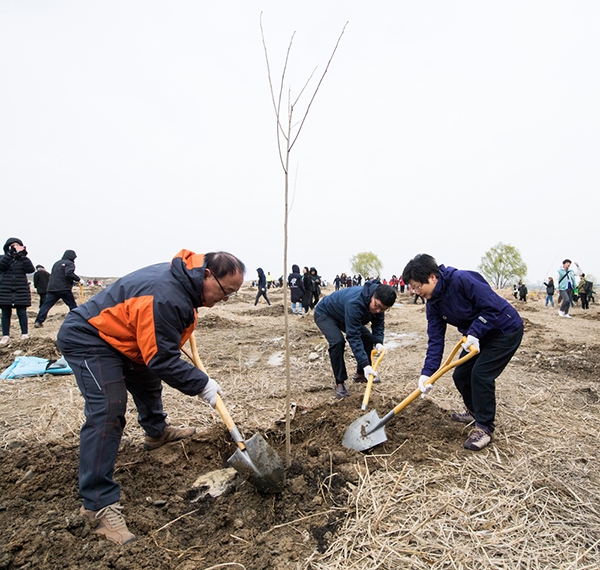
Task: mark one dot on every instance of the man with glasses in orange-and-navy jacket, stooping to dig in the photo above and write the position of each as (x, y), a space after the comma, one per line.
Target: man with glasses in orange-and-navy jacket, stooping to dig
(127, 338)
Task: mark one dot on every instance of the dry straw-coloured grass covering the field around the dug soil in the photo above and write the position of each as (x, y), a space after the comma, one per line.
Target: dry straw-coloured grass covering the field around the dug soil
(531, 500)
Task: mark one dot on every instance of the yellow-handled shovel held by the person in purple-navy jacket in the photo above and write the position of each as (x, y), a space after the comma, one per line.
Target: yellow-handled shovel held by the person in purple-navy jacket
(368, 431)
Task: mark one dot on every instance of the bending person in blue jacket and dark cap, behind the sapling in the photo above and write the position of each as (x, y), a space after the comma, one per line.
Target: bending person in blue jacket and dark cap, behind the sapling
(348, 311)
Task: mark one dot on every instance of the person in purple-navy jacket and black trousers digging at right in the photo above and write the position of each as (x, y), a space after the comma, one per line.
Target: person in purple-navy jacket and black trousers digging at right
(465, 300)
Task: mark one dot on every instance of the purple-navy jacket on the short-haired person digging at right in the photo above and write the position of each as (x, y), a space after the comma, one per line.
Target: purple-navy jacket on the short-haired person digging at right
(465, 300)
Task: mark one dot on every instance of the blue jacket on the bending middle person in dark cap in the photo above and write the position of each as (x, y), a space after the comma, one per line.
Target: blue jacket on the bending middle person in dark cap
(349, 308)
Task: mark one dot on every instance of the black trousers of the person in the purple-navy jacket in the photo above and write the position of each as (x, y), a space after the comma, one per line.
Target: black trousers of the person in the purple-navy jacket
(476, 378)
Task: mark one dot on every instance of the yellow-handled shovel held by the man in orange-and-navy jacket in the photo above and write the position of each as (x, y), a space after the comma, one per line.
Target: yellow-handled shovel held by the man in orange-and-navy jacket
(254, 459)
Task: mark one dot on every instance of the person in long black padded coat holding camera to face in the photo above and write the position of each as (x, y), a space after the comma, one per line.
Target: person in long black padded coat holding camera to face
(14, 286)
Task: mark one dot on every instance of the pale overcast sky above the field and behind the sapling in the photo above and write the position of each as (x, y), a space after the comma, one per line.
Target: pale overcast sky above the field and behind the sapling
(132, 129)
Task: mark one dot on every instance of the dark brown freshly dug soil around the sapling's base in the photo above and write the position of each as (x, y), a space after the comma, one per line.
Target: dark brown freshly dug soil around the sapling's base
(39, 496)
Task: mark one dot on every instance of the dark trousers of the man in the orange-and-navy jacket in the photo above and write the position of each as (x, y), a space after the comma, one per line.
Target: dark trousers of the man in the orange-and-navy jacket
(104, 377)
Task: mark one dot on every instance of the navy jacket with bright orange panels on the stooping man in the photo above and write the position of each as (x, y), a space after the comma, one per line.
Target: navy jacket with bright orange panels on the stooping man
(149, 315)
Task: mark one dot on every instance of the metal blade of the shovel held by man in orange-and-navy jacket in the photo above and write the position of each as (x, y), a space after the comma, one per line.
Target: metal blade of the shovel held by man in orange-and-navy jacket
(259, 464)
